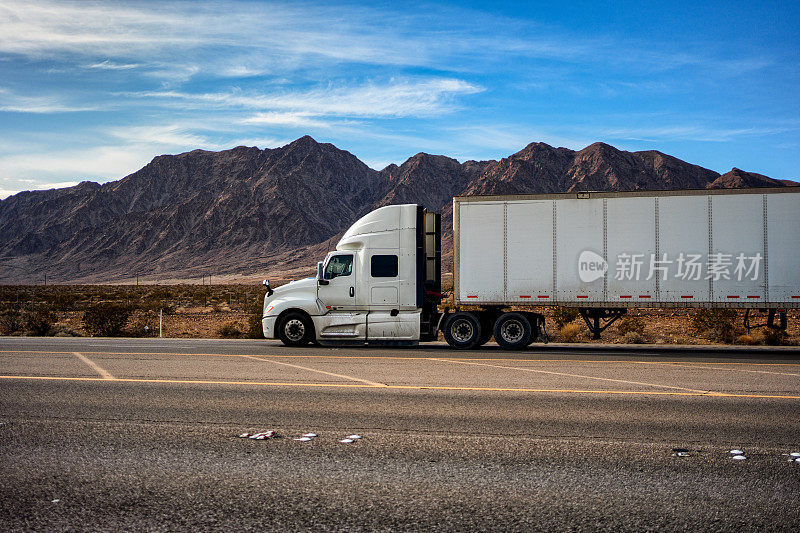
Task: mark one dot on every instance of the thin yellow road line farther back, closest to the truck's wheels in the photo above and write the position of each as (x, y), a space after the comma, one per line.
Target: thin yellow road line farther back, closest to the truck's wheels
(419, 358)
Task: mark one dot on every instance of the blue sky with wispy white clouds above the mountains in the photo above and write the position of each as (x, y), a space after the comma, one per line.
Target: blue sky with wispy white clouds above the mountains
(95, 90)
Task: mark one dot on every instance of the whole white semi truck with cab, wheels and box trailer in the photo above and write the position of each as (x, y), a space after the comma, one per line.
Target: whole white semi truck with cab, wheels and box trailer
(602, 253)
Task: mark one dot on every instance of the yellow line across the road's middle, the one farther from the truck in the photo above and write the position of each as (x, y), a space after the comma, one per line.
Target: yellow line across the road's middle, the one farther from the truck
(404, 387)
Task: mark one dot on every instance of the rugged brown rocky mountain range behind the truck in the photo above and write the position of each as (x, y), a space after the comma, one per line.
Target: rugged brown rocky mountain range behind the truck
(251, 212)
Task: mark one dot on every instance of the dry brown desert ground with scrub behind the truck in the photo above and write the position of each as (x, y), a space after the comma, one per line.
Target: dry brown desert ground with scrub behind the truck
(225, 311)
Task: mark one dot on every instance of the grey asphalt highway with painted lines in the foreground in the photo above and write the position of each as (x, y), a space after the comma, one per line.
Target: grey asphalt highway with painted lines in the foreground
(132, 434)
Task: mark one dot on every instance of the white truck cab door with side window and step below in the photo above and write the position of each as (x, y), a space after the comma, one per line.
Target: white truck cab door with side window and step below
(336, 291)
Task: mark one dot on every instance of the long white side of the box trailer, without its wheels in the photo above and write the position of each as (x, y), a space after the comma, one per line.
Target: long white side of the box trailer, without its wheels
(728, 248)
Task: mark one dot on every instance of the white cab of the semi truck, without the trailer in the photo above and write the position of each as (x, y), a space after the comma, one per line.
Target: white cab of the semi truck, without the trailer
(376, 287)
